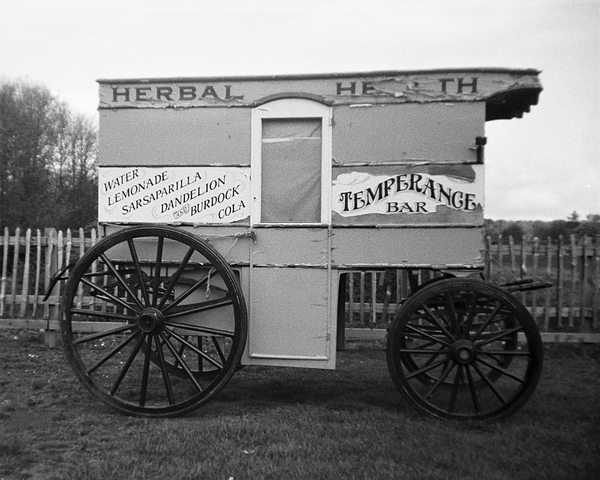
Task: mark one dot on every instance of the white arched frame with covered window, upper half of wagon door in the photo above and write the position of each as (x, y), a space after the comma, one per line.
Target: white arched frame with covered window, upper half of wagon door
(291, 162)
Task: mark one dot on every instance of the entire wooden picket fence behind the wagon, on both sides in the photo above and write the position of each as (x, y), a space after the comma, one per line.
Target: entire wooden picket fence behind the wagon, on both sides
(572, 266)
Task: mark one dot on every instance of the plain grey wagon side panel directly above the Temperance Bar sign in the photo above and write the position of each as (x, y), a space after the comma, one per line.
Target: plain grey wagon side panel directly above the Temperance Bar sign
(407, 133)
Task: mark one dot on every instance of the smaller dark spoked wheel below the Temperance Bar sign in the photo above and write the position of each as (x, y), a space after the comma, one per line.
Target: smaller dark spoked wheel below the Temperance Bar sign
(464, 349)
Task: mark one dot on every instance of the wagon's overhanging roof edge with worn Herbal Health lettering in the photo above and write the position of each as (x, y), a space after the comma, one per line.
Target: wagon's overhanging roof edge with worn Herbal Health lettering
(508, 93)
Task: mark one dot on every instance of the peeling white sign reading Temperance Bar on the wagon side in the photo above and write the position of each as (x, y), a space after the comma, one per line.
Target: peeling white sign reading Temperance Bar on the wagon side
(359, 193)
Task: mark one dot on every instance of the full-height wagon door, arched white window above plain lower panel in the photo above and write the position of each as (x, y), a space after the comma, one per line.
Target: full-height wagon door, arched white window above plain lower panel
(291, 288)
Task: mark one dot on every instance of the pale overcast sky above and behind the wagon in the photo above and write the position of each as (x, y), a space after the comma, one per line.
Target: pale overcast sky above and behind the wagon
(544, 166)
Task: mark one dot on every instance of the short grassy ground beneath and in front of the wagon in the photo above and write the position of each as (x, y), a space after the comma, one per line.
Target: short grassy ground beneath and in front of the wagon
(291, 423)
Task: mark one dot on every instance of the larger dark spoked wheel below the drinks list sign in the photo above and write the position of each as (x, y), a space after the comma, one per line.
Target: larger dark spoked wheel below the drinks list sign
(168, 319)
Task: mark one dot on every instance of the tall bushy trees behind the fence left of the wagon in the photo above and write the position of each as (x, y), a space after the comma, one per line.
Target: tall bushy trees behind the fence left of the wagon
(48, 159)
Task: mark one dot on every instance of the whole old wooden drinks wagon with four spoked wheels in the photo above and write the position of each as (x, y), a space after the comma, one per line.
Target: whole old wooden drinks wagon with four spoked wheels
(232, 208)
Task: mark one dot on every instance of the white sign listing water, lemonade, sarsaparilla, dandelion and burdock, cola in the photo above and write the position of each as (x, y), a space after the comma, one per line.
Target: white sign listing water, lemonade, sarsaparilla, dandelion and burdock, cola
(174, 194)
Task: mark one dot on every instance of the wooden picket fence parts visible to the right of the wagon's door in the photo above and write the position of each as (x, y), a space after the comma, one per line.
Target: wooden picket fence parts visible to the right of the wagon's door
(571, 266)
